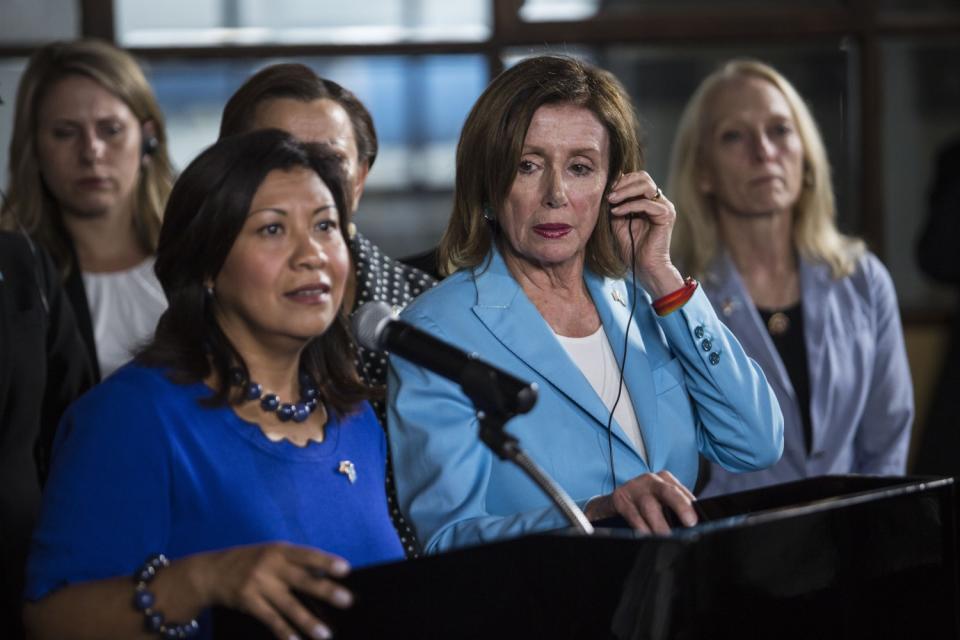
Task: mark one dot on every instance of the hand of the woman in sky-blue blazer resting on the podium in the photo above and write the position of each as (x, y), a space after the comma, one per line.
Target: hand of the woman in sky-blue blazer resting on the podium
(645, 502)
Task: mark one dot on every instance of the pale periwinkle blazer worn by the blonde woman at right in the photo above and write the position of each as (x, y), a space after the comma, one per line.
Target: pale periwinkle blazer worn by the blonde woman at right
(861, 395)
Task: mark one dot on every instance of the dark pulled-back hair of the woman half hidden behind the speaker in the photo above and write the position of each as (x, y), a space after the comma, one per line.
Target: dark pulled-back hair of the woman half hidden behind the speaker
(298, 82)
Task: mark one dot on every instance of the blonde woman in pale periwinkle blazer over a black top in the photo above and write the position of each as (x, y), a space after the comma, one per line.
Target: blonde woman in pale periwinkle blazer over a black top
(818, 312)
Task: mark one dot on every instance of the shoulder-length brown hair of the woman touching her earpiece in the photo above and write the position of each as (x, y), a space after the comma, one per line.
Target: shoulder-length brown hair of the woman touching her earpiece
(491, 144)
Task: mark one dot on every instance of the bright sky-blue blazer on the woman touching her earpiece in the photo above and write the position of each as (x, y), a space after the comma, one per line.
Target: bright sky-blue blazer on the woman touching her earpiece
(693, 389)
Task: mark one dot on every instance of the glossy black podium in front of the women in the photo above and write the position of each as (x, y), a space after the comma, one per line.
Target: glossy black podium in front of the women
(830, 557)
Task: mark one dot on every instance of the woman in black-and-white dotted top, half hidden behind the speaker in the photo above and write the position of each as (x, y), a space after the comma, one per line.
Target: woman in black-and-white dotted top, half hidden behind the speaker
(293, 98)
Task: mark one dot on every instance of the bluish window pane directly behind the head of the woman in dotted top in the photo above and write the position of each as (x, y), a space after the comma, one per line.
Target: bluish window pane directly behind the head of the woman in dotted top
(418, 106)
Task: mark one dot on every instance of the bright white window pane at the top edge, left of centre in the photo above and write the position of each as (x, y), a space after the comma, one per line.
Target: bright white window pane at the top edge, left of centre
(214, 22)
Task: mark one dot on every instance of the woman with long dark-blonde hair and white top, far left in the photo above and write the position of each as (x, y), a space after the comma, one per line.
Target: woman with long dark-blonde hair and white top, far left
(89, 177)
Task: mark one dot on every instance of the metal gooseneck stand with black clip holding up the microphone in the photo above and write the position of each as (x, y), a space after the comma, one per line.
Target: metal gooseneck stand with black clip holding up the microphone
(493, 411)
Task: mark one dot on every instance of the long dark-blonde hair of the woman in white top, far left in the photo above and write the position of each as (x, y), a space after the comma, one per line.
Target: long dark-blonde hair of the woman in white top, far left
(30, 205)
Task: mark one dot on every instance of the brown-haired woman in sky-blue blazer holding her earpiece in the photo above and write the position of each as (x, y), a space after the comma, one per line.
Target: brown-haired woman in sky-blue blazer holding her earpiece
(635, 374)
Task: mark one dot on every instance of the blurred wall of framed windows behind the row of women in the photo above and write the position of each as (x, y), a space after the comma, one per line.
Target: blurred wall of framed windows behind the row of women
(882, 78)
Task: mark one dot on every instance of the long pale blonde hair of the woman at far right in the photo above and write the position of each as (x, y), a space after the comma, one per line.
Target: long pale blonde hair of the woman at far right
(696, 238)
